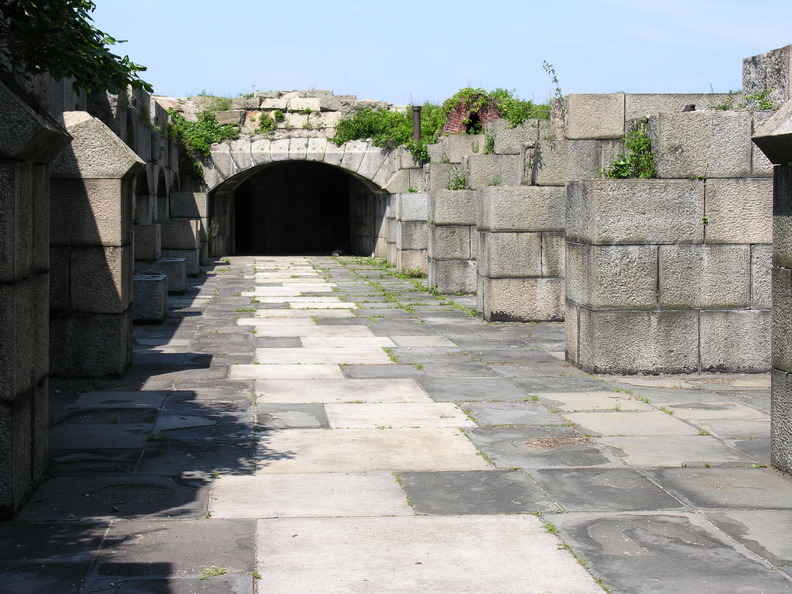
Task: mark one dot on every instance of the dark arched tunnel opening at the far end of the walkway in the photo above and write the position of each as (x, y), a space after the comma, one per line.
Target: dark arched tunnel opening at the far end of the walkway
(304, 208)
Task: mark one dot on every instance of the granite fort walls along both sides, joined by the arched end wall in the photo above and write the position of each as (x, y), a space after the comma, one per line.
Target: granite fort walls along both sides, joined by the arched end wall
(671, 274)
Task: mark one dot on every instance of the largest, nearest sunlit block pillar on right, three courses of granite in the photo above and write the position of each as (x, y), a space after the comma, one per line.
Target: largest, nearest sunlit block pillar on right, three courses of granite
(657, 282)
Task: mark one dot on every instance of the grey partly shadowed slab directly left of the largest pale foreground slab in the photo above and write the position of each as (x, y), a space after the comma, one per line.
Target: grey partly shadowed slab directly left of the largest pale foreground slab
(175, 550)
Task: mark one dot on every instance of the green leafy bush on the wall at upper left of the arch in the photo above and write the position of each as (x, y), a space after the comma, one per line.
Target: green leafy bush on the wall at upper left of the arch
(196, 138)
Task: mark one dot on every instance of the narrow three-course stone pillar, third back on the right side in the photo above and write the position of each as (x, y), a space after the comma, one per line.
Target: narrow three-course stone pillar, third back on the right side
(453, 240)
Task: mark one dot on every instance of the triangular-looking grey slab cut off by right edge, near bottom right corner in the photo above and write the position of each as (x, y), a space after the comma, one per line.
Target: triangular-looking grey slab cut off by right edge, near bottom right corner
(766, 533)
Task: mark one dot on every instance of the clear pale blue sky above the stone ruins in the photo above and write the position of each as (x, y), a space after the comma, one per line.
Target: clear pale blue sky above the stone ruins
(410, 51)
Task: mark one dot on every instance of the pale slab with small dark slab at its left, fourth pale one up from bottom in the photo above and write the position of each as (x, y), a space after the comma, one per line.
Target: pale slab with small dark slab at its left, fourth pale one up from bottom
(396, 415)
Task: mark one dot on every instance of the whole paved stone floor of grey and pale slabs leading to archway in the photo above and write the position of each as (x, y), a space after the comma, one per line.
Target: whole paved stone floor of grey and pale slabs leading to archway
(319, 425)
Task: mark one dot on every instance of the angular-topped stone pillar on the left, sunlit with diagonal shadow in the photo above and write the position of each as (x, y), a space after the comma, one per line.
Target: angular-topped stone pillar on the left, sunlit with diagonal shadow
(92, 252)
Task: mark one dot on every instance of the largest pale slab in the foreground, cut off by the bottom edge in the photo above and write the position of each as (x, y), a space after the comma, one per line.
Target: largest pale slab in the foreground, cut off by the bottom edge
(422, 553)
